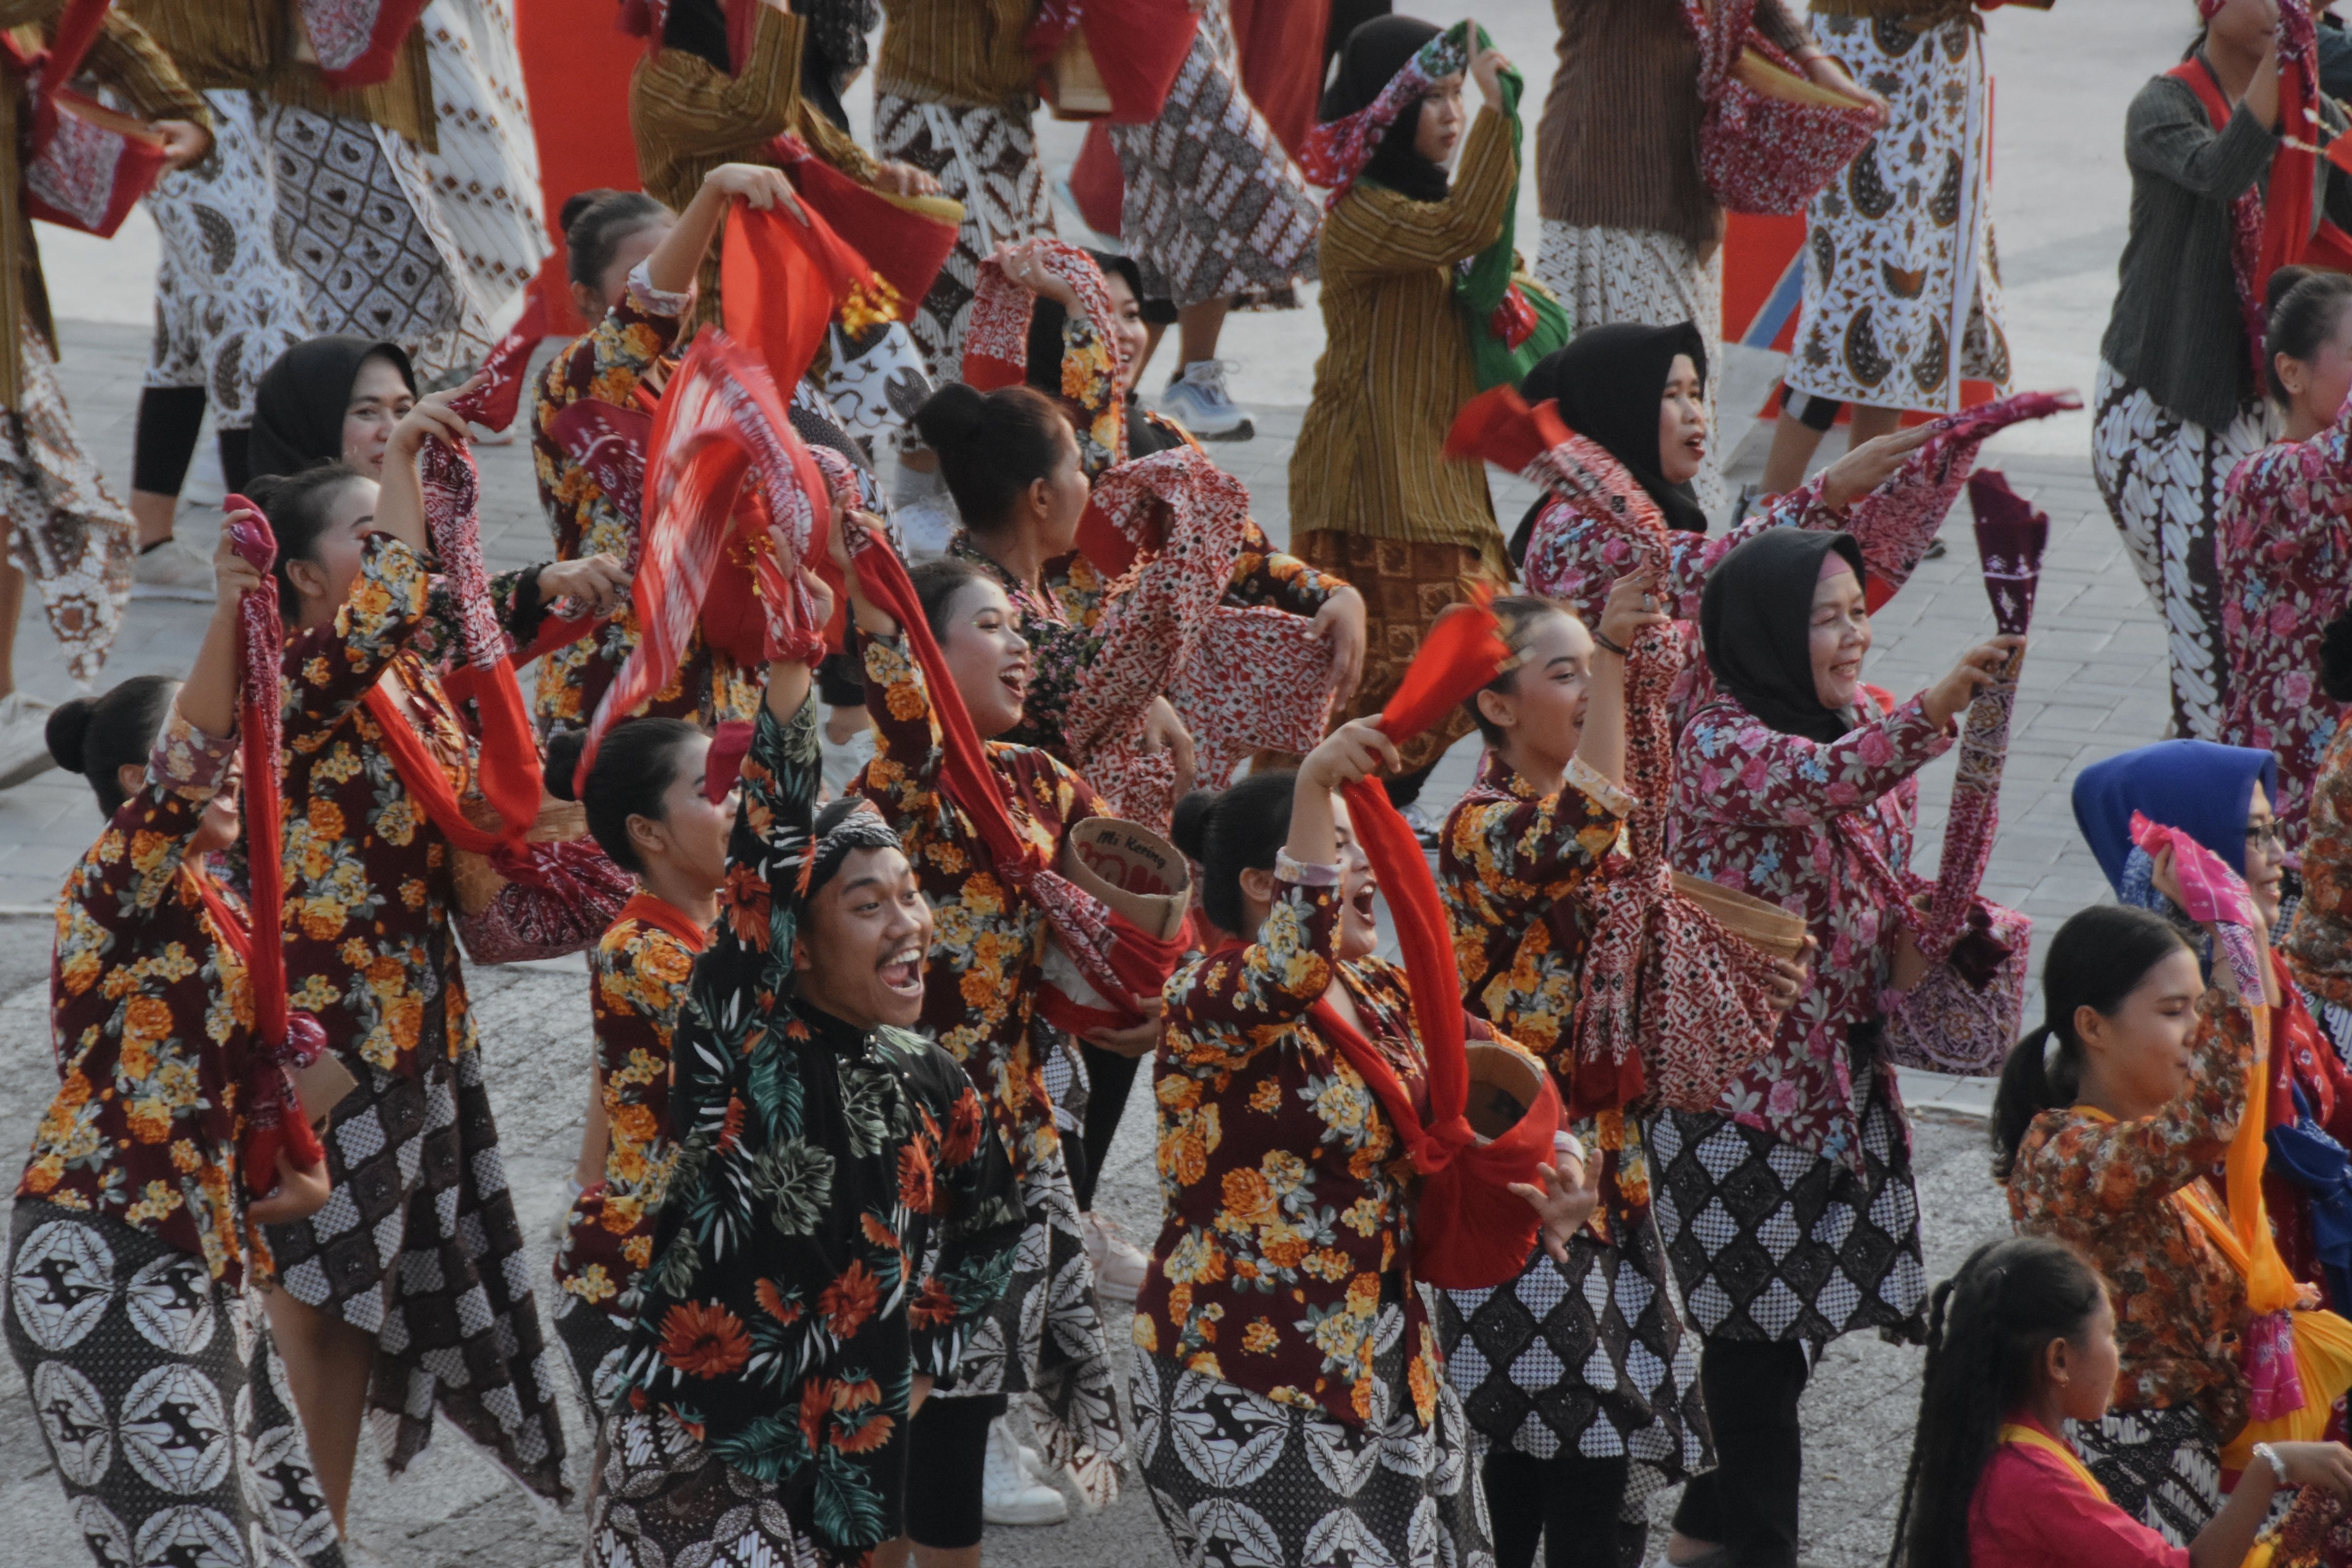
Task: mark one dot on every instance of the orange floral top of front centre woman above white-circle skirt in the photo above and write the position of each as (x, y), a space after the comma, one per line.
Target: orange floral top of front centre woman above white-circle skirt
(1283, 1264)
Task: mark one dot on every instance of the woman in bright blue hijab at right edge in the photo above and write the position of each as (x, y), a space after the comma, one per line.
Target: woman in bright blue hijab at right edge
(2221, 796)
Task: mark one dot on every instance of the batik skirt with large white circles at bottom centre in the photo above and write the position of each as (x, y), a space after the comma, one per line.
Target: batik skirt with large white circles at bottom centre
(1243, 1482)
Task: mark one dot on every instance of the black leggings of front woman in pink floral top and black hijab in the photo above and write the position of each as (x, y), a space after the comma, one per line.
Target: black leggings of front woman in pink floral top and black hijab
(1749, 1501)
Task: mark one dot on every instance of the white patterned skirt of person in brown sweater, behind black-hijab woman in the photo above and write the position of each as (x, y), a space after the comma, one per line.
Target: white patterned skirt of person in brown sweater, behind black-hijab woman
(1648, 279)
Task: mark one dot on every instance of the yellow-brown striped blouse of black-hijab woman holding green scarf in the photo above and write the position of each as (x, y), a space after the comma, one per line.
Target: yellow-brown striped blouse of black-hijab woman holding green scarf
(1396, 368)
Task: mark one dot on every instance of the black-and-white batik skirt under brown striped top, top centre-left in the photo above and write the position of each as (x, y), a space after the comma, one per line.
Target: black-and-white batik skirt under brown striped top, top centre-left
(987, 161)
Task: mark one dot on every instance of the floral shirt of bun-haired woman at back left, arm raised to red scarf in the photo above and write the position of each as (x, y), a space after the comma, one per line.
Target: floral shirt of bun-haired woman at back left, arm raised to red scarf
(610, 363)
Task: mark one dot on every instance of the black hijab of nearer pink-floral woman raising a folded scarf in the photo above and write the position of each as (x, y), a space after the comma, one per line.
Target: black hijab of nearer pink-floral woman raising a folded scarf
(1756, 622)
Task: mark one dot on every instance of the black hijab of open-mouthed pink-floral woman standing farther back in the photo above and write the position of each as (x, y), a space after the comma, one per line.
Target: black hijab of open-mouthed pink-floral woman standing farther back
(1608, 384)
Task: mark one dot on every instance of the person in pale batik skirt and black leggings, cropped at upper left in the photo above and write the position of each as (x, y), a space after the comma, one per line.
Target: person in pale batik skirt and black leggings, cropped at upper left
(225, 302)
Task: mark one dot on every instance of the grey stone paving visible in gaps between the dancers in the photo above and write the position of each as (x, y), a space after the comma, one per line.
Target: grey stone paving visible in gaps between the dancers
(2092, 685)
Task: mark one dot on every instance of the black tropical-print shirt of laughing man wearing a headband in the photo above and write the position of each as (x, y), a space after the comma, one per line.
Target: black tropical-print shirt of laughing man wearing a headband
(836, 1212)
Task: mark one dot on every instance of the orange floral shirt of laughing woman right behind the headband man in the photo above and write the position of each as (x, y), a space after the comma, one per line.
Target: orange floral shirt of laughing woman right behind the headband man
(989, 944)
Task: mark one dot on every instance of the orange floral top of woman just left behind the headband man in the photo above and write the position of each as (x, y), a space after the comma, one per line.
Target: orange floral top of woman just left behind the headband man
(636, 986)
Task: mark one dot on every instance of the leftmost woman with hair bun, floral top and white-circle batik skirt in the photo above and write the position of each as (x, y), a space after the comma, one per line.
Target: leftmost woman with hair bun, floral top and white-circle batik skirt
(135, 1257)
